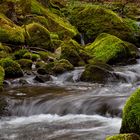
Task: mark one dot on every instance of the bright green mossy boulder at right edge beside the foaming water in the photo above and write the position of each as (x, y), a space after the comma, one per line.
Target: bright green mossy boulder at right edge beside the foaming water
(131, 114)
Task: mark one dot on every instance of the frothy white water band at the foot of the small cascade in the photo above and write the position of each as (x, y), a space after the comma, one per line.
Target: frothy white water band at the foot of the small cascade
(70, 125)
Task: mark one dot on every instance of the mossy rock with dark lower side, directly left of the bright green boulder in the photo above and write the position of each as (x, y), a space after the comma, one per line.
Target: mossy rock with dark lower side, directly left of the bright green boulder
(70, 50)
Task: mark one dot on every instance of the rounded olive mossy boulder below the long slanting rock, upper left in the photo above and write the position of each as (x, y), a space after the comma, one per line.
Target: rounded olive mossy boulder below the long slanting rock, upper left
(39, 36)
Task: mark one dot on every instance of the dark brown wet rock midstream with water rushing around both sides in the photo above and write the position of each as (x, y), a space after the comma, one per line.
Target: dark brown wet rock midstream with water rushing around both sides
(97, 72)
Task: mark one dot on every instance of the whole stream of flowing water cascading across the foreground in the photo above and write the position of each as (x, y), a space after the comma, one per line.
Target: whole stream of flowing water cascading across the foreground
(65, 108)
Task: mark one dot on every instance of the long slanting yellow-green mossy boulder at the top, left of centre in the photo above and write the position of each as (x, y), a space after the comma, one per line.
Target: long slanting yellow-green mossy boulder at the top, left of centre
(55, 23)
